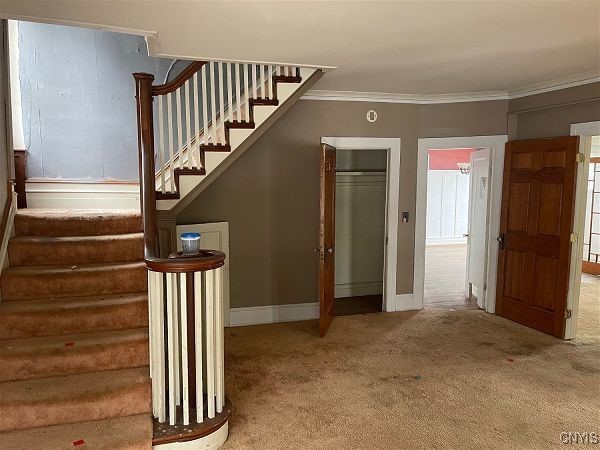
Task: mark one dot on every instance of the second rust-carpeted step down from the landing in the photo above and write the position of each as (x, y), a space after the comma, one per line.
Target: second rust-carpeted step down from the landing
(52, 250)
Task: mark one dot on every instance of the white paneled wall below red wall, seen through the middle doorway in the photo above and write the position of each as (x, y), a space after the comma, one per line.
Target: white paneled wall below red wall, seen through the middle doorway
(447, 206)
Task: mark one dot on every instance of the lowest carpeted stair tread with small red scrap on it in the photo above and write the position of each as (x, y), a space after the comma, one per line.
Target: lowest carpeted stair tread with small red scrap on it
(120, 433)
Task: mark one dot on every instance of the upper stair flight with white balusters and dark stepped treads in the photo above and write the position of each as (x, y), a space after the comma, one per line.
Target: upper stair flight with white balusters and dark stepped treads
(207, 117)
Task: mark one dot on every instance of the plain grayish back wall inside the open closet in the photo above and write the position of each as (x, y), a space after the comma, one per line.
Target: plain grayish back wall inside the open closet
(359, 233)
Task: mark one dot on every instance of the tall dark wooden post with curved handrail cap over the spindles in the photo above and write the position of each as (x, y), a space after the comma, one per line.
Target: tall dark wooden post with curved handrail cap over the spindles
(208, 259)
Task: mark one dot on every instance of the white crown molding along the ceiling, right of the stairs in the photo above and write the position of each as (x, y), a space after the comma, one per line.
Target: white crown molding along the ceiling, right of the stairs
(422, 99)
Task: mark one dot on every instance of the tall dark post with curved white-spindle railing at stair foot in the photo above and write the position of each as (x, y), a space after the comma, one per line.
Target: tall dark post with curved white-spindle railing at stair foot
(185, 298)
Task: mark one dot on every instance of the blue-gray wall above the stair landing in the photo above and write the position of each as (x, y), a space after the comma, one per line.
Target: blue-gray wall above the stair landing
(78, 101)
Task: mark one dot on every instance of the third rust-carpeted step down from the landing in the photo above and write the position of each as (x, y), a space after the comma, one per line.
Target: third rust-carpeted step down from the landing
(29, 282)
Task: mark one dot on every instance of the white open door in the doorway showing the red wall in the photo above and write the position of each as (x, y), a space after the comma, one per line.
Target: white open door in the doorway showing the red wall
(477, 237)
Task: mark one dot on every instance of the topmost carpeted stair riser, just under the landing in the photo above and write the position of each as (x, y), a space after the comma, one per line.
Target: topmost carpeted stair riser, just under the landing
(59, 226)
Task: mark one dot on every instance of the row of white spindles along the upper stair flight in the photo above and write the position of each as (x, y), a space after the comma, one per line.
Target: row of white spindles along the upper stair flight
(195, 113)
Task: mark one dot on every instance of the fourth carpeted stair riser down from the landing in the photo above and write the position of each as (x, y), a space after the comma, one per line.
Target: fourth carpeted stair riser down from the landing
(76, 320)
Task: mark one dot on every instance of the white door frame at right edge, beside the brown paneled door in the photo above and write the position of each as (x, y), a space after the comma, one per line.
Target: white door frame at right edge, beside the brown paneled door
(585, 131)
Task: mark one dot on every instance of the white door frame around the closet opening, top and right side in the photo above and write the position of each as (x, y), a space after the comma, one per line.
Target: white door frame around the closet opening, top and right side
(392, 145)
